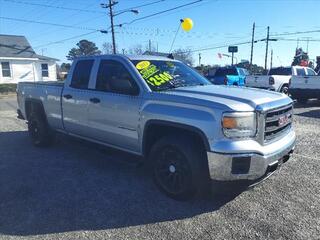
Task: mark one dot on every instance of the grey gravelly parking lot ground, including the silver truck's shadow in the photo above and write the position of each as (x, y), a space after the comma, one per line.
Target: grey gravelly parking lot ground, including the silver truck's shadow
(76, 190)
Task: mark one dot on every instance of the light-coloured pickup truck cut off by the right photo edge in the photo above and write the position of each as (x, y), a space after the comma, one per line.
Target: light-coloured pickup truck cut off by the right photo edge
(305, 88)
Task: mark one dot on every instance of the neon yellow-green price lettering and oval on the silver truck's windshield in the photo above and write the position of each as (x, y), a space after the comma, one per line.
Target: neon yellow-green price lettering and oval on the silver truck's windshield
(152, 74)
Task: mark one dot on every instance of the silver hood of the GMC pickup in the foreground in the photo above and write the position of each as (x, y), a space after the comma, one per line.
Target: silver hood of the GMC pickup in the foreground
(234, 97)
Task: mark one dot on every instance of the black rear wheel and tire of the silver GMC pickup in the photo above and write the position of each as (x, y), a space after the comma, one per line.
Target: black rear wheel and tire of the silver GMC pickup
(39, 130)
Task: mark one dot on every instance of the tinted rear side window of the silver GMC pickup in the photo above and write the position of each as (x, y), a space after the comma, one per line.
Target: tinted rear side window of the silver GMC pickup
(81, 74)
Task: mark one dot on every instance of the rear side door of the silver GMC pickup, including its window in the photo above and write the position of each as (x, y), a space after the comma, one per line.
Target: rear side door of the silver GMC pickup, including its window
(75, 98)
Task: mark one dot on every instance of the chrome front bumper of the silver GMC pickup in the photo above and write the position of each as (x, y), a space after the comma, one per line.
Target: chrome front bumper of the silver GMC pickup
(251, 165)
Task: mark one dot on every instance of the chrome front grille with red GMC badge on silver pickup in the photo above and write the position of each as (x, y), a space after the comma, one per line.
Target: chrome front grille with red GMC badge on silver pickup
(277, 122)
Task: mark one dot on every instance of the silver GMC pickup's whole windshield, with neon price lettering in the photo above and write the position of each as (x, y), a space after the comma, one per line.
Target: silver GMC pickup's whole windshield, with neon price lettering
(162, 75)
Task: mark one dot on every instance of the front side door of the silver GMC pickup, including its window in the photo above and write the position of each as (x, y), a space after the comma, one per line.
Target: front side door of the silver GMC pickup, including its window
(114, 106)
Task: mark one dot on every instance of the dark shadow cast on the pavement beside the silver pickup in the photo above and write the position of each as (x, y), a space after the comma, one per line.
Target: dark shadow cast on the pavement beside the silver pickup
(74, 186)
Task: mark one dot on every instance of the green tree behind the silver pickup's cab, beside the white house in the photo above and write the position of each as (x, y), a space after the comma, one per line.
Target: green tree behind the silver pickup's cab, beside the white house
(84, 48)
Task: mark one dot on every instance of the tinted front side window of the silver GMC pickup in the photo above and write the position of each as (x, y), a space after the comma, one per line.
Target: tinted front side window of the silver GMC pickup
(114, 77)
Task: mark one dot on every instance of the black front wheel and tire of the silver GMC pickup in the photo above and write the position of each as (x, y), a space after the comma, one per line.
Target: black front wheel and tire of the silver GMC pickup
(179, 168)
